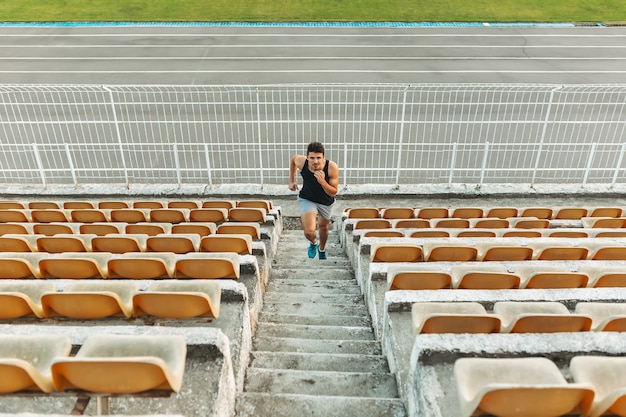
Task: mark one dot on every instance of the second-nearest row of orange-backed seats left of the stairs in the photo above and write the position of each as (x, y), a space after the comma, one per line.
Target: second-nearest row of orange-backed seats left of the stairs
(100, 299)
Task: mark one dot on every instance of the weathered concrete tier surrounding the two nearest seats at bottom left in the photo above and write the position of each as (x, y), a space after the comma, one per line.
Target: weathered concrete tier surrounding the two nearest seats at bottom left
(208, 384)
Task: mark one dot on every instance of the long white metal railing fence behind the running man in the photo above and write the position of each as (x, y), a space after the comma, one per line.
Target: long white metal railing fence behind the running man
(385, 137)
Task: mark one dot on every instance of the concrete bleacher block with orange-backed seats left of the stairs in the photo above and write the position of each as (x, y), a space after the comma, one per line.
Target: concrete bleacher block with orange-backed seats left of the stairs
(218, 343)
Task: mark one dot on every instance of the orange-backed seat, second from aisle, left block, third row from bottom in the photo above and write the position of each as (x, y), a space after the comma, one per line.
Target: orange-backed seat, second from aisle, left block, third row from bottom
(151, 265)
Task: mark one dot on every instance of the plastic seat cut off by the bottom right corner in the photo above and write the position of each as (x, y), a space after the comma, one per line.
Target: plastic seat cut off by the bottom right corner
(606, 375)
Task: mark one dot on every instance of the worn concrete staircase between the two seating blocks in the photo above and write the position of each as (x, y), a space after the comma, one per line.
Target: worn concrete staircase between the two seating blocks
(314, 352)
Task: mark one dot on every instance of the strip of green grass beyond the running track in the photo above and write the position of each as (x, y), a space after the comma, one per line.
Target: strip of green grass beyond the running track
(315, 10)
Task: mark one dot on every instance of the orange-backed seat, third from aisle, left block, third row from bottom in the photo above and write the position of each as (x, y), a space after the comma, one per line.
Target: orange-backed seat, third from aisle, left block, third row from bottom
(75, 265)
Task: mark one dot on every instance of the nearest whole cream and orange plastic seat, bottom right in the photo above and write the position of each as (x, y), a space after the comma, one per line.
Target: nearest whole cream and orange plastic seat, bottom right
(517, 387)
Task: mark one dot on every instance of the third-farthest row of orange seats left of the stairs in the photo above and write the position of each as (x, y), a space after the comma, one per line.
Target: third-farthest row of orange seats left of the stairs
(145, 228)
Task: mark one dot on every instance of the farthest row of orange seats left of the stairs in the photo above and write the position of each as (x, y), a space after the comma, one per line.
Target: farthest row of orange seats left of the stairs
(119, 204)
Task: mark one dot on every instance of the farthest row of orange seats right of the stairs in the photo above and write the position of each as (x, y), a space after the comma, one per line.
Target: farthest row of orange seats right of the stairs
(562, 213)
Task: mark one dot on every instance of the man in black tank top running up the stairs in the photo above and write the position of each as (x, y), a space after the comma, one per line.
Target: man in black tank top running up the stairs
(320, 181)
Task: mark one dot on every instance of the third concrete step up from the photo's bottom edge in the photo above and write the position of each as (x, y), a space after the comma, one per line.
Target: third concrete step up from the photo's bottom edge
(319, 362)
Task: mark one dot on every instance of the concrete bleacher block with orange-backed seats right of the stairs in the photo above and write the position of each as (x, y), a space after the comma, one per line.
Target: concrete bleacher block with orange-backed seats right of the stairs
(424, 362)
